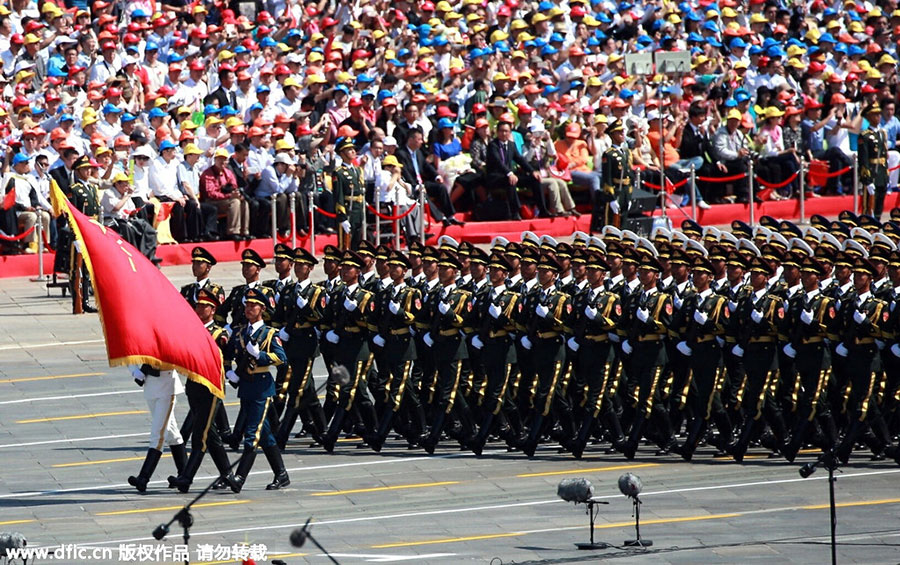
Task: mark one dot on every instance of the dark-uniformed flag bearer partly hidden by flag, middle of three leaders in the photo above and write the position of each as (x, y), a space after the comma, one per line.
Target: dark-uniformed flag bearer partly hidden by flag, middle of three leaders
(204, 404)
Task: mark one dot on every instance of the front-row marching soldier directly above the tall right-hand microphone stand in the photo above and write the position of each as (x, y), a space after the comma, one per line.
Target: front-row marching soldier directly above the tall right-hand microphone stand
(812, 317)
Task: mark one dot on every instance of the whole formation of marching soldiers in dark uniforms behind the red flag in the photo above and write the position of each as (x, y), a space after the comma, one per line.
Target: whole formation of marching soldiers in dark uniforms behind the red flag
(775, 335)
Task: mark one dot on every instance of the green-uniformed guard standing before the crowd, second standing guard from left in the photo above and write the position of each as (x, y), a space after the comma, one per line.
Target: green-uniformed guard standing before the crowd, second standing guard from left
(349, 196)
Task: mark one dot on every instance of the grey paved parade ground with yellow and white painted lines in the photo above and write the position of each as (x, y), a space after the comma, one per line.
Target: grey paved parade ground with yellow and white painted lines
(72, 429)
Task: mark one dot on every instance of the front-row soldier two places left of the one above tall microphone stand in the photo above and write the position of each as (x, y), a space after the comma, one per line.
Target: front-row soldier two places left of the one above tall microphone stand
(707, 314)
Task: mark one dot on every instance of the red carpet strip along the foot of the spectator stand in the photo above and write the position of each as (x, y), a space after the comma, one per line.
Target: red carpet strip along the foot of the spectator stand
(482, 232)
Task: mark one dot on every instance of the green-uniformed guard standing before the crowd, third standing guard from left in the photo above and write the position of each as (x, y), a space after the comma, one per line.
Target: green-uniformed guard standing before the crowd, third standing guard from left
(611, 204)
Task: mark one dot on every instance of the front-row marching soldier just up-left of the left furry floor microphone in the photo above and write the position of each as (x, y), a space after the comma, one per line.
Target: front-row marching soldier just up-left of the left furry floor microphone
(546, 338)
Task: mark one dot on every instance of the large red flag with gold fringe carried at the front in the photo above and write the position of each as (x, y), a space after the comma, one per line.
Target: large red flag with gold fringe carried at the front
(144, 317)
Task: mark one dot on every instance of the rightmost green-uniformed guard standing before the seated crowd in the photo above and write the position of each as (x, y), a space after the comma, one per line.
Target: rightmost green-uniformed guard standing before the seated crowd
(873, 173)
